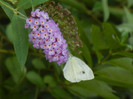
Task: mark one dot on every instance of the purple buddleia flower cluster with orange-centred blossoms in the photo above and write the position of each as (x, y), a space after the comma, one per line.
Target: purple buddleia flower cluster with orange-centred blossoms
(46, 35)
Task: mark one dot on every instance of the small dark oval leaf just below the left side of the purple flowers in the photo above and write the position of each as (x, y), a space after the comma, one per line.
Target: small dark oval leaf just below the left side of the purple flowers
(38, 64)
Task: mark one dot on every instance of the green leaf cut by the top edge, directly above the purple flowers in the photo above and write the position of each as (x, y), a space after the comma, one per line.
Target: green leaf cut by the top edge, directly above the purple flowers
(25, 4)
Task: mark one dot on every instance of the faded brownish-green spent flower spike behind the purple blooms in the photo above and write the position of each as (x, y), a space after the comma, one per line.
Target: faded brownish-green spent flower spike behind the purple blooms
(67, 24)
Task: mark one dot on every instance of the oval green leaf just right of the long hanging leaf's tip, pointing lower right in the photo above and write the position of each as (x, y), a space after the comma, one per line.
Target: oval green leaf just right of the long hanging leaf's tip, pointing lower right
(34, 78)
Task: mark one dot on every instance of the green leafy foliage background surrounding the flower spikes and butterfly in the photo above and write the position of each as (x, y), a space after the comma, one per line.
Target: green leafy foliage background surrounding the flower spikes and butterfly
(105, 28)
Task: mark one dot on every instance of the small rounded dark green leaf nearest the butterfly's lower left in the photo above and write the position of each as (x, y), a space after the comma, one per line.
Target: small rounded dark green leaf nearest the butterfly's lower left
(50, 81)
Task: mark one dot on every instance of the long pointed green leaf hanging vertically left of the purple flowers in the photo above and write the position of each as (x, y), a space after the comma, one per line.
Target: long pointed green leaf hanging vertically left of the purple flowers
(20, 41)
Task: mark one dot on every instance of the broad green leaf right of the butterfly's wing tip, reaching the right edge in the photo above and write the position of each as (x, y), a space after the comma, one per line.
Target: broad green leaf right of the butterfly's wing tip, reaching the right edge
(116, 76)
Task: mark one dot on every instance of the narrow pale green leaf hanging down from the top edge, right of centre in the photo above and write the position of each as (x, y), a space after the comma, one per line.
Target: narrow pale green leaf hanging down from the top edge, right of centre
(105, 9)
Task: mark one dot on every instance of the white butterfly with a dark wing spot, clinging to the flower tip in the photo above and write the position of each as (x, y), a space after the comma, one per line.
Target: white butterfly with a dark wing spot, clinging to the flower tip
(76, 70)
